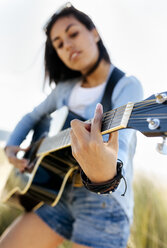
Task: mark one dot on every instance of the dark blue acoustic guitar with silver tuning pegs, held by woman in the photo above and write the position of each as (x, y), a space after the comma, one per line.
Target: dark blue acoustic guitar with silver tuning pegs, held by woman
(52, 165)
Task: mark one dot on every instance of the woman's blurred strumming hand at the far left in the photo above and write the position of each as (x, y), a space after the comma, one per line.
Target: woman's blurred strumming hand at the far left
(11, 153)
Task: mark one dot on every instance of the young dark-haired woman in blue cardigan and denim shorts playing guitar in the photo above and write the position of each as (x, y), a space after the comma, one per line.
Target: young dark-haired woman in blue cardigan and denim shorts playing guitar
(77, 61)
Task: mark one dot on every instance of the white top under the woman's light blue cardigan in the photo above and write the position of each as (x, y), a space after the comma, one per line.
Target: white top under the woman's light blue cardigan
(81, 97)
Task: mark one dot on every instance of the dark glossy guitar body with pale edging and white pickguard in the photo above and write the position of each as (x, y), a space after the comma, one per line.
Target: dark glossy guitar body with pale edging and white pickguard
(45, 181)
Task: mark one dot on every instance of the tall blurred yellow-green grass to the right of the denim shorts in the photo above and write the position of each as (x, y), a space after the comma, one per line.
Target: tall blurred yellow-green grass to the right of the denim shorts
(150, 214)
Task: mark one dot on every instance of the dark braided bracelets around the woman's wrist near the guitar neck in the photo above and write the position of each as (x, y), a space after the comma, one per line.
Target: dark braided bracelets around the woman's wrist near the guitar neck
(107, 187)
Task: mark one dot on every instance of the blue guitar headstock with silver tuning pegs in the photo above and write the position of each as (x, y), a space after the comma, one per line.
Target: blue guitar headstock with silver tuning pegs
(150, 116)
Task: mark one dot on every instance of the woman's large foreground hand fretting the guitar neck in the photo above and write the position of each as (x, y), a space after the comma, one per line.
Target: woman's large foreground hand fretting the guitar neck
(97, 159)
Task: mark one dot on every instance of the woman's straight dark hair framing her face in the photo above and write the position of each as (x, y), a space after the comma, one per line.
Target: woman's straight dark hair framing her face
(55, 69)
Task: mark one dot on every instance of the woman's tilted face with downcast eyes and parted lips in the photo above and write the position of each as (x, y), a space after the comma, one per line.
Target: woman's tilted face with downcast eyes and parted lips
(75, 45)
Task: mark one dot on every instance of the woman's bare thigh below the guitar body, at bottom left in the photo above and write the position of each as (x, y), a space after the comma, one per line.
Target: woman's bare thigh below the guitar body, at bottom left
(30, 231)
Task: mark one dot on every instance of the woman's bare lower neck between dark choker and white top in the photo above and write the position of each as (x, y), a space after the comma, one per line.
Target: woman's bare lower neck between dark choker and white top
(97, 77)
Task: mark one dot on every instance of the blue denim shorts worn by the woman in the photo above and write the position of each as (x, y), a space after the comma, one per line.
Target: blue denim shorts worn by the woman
(87, 218)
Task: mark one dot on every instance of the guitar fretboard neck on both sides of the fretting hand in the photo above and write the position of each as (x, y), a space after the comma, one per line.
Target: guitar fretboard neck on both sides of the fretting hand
(113, 120)
